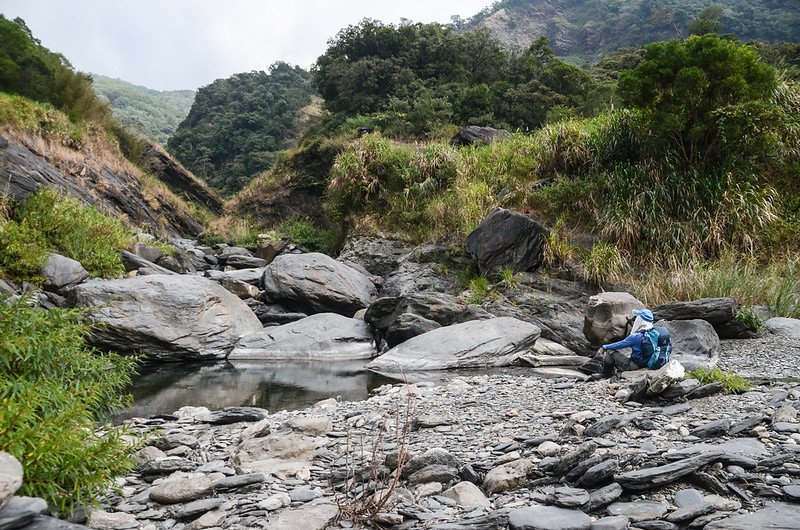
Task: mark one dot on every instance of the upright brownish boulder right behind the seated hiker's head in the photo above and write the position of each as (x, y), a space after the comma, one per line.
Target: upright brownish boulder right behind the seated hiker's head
(607, 317)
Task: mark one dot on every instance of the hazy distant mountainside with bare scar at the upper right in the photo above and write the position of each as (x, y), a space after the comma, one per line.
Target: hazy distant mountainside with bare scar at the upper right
(589, 28)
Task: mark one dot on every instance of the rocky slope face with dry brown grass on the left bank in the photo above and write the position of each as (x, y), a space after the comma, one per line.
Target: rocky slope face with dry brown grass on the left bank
(96, 177)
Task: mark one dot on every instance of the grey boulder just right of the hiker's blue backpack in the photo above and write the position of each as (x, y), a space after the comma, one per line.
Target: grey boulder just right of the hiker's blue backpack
(695, 344)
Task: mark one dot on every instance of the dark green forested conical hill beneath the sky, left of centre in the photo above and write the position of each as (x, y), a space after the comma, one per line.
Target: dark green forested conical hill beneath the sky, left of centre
(237, 125)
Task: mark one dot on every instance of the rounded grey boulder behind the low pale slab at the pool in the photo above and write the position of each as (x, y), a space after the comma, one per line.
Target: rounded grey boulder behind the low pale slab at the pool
(316, 283)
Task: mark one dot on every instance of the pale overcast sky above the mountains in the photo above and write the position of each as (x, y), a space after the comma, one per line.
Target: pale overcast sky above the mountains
(177, 44)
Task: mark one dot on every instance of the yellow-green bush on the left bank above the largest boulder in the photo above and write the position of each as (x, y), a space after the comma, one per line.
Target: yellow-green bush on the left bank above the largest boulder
(46, 222)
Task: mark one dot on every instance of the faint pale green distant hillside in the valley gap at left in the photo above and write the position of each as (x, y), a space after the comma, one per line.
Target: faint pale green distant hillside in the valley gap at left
(155, 113)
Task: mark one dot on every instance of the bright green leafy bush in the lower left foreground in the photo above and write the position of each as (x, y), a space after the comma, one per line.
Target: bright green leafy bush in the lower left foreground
(52, 389)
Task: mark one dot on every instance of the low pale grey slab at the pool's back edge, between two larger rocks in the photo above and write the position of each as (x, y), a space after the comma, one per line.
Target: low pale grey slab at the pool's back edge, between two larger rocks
(321, 337)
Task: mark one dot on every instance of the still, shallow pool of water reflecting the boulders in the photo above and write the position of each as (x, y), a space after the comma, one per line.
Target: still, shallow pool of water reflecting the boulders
(163, 389)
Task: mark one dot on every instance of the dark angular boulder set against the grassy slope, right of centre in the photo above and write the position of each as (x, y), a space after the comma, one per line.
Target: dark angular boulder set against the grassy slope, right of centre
(507, 239)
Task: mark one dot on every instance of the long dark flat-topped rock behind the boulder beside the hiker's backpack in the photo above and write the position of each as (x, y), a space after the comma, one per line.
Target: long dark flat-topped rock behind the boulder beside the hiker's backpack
(719, 312)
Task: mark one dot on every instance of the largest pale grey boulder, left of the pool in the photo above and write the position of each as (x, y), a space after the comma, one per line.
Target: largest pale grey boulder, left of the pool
(168, 318)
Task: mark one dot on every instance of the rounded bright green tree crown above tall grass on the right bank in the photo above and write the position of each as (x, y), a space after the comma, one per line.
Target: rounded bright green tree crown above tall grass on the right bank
(703, 97)
